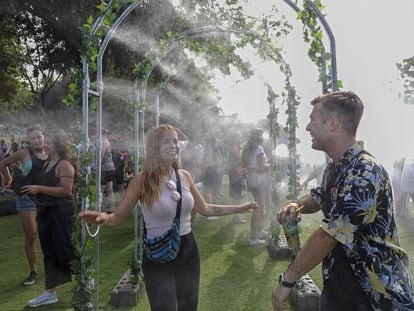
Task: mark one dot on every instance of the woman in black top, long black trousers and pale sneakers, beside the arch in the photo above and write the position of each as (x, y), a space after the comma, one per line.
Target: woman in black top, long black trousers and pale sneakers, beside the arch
(53, 188)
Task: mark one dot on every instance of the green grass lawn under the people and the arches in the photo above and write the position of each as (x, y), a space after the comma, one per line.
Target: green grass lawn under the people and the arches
(234, 276)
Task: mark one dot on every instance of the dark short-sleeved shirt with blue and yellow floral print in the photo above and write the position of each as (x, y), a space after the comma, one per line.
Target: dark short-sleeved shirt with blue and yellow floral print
(361, 218)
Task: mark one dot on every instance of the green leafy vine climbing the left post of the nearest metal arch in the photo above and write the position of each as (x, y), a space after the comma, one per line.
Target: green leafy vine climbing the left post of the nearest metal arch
(83, 263)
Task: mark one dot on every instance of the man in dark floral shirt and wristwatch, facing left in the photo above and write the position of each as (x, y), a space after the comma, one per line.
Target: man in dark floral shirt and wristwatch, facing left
(364, 268)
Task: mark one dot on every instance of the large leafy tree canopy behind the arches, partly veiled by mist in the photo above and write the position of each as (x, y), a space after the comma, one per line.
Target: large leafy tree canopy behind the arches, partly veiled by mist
(48, 38)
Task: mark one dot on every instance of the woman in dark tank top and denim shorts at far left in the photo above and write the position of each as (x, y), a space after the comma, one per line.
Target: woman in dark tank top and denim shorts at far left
(30, 161)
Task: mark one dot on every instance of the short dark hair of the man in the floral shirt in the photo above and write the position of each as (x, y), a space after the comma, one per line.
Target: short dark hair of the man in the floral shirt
(347, 106)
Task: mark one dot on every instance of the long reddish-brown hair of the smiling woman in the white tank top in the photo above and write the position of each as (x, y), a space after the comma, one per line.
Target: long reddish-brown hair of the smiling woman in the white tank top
(154, 166)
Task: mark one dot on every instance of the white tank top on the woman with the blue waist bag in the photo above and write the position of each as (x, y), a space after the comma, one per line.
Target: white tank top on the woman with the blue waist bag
(159, 217)
